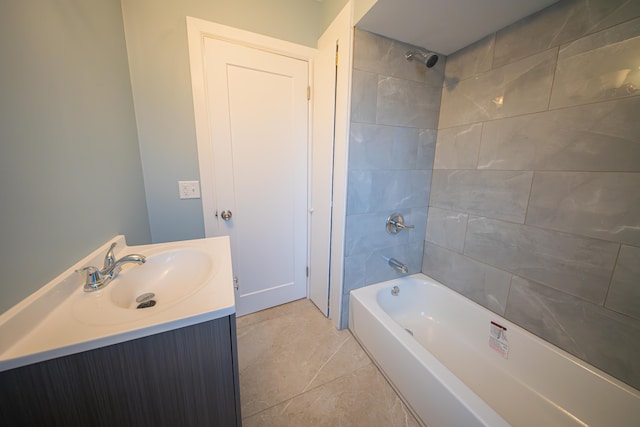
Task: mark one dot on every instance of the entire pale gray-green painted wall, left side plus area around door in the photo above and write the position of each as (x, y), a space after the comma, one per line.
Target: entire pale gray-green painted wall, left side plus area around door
(70, 164)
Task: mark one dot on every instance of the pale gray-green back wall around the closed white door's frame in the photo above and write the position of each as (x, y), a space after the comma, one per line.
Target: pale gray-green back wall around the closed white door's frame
(159, 62)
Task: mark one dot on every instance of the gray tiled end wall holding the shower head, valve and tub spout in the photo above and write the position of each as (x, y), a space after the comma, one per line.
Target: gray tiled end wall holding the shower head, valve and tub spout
(394, 117)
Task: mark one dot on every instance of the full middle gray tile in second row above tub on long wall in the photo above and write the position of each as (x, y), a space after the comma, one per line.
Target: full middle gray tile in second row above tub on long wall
(577, 265)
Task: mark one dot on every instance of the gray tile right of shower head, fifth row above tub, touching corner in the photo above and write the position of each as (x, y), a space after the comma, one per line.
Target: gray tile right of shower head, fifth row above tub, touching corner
(518, 88)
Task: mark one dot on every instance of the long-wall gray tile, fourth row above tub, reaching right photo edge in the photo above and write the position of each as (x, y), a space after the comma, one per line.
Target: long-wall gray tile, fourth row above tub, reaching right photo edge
(597, 137)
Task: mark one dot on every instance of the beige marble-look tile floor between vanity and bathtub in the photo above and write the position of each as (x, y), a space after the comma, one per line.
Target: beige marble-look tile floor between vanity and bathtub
(297, 369)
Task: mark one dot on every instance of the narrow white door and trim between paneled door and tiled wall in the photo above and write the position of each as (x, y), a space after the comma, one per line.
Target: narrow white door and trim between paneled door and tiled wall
(332, 77)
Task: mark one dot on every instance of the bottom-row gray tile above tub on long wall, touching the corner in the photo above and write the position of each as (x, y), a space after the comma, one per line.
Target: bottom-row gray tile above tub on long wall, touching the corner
(479, 282)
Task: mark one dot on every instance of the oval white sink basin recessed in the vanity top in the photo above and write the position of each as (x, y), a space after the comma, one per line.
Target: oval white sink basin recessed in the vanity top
(170, 276)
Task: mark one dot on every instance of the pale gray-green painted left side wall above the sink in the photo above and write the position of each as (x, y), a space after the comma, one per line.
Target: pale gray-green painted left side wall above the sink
(70, 175)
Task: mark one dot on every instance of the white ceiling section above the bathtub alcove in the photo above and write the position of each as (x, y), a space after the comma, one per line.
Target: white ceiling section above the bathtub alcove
(445, 26)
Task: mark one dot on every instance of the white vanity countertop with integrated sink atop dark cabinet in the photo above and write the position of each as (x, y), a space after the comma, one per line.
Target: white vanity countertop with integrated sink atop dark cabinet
(191, 281)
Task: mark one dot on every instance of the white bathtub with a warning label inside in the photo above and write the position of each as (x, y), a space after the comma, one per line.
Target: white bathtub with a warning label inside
(448, 374)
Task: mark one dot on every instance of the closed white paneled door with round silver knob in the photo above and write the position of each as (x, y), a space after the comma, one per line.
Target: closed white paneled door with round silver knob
(258, 113)
